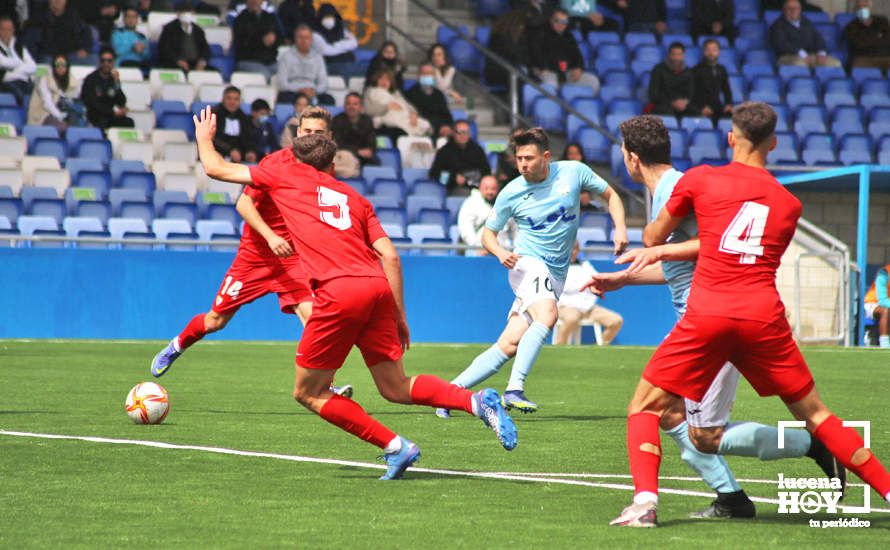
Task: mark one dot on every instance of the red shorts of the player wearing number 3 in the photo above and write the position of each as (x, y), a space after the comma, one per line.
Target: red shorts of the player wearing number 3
(350, 311)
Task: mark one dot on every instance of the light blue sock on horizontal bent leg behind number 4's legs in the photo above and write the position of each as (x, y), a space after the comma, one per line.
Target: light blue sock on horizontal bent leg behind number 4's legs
(762, 441)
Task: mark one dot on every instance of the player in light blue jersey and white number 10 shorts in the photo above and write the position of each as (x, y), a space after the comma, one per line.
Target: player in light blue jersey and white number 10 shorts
(545, 203)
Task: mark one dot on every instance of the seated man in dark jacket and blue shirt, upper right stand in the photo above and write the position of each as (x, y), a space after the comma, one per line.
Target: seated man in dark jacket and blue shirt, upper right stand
(796, 41)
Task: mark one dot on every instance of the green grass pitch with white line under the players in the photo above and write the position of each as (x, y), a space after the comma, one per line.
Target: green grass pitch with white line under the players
(238, 395)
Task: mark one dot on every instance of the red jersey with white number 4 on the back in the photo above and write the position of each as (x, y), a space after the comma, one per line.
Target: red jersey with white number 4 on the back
(746, 220)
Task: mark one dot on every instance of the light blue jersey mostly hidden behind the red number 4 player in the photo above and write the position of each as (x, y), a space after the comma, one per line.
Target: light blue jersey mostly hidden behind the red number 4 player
(678, 275)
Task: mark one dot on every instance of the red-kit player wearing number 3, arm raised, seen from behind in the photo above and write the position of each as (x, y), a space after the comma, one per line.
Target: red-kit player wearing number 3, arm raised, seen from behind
(357, 302)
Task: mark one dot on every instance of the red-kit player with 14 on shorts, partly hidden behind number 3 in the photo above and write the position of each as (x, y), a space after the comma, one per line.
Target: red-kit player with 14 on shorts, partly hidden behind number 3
(264, 264)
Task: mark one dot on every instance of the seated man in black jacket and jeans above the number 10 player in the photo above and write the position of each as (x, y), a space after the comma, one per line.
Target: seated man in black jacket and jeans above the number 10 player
(555, 58)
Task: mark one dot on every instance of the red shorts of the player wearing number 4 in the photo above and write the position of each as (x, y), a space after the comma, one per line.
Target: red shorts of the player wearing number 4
(699, 345)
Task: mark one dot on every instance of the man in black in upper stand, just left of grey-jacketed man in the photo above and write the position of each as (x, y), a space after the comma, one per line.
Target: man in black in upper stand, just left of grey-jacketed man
(255, 37)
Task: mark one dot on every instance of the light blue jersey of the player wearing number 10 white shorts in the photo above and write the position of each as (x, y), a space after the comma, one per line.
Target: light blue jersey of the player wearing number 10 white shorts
(547, 213)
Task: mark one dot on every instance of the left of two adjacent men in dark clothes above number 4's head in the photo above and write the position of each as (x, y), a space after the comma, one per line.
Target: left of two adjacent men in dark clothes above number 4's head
(671, 85)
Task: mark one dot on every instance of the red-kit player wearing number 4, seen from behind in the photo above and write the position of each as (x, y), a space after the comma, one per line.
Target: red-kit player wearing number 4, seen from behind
(746, 220)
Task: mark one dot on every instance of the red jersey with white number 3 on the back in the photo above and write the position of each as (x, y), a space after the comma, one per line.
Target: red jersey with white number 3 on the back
(331, 224)
